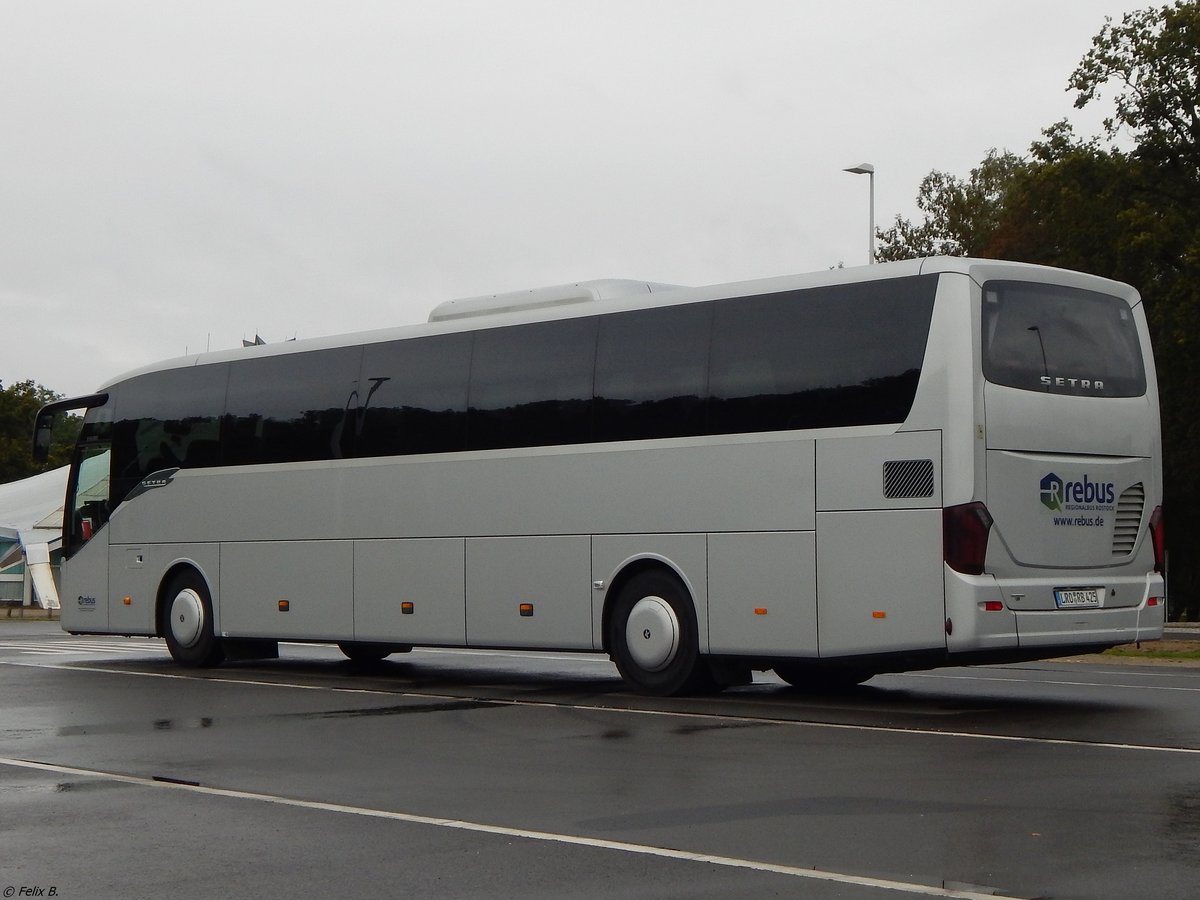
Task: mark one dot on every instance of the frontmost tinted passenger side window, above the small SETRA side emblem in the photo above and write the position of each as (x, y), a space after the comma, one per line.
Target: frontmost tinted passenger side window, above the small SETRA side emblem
(165, 421)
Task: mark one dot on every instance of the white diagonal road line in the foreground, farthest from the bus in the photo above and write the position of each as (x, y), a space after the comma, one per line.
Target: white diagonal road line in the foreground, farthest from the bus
(545, 837)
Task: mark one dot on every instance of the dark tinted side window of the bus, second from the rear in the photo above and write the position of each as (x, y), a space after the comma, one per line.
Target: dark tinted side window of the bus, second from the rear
(652, 374)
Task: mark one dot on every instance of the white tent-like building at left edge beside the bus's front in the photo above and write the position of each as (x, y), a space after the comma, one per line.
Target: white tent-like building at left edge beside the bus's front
(32, 520)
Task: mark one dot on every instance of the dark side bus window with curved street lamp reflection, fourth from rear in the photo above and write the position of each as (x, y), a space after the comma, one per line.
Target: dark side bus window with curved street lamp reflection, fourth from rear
(415, 397)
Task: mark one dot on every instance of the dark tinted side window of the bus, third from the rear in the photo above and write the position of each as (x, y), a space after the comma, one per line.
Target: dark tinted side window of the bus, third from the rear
(531, 386)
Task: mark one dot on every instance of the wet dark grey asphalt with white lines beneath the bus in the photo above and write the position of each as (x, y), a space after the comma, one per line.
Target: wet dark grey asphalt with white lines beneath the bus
(490, 775)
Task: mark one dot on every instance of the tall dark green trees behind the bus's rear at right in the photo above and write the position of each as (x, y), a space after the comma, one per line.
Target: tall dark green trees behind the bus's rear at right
(1101, 206)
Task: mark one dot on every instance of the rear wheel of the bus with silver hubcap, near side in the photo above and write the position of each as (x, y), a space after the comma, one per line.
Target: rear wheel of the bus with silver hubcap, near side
(653, 638)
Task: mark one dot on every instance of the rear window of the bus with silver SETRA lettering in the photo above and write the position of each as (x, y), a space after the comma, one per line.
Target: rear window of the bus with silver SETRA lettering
(1059, 340)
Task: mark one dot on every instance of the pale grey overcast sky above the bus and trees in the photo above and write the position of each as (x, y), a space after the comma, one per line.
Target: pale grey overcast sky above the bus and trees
(181, 176)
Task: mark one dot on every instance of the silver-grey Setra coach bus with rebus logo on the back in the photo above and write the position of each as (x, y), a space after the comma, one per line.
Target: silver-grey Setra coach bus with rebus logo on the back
(833, 476)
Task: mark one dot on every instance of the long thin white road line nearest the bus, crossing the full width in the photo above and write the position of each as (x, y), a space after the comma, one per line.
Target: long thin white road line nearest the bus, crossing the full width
(626, 711)
